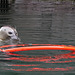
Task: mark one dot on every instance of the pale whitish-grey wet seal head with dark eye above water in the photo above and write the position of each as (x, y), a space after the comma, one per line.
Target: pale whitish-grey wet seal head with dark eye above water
(8, 33)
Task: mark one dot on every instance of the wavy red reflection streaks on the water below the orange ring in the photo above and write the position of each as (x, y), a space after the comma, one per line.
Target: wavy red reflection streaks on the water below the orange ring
(41, 62)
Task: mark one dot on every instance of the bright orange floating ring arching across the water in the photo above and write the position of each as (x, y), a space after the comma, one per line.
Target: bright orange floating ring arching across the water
(28, 47)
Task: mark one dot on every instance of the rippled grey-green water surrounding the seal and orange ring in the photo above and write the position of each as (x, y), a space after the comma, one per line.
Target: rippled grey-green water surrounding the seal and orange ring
(42, 22)
